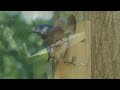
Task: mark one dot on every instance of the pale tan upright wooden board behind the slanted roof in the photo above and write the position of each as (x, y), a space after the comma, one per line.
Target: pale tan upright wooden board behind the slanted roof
(82, 52)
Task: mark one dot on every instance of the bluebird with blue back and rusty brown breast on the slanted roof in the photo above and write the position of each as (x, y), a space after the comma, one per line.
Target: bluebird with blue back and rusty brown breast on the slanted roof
(50, 34)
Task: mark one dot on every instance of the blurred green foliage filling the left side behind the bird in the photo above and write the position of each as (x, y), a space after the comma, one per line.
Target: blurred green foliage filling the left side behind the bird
(17, 43)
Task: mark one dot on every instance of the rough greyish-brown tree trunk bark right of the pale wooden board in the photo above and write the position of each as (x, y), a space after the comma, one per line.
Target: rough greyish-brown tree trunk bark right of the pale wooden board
(105, 43)
